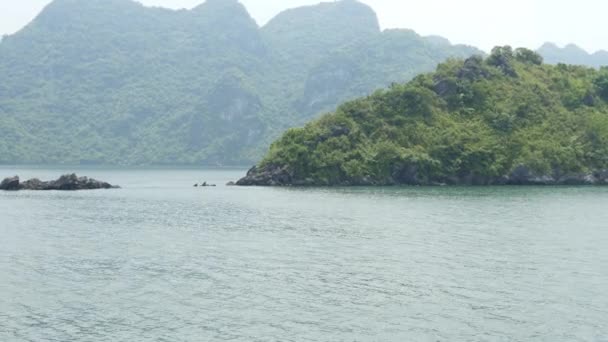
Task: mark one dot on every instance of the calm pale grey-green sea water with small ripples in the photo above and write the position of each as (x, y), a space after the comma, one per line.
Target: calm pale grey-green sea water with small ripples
(160, 260)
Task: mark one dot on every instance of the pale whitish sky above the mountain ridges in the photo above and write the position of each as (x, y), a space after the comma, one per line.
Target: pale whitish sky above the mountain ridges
(482, 23)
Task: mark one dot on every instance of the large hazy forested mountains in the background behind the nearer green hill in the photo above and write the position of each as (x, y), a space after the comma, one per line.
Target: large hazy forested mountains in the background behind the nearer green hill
(111, 81)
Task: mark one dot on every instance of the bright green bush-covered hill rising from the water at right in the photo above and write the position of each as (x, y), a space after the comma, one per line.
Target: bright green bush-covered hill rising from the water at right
(507, 118)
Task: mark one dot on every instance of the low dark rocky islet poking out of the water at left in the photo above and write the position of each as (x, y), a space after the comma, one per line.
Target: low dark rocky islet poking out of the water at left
(64, 183)
